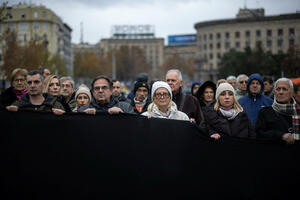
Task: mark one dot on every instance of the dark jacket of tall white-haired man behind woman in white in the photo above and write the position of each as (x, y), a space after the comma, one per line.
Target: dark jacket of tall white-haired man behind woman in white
(189, 105)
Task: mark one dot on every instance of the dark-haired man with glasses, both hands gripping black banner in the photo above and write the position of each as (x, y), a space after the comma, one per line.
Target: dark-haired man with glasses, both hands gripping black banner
(103, 101)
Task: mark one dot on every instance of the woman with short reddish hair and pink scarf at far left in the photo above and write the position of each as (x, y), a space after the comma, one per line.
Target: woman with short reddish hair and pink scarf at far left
(17, 89)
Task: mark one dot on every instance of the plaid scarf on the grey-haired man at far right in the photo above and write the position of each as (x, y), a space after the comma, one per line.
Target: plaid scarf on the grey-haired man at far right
(290, 110)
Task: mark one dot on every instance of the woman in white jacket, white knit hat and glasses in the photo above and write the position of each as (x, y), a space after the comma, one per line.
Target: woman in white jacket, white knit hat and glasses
(162, 105)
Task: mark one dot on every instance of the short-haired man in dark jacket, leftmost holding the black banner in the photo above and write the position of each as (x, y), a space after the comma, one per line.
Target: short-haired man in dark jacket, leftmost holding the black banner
(35, 99)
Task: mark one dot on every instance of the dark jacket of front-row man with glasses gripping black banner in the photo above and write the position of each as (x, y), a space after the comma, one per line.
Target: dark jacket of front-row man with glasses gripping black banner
(126, 107)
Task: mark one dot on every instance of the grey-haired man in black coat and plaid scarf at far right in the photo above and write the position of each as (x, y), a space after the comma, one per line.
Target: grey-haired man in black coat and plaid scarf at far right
(280, 121)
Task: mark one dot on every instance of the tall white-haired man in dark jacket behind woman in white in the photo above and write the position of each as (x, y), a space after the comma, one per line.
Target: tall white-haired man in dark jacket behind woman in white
(185, 102)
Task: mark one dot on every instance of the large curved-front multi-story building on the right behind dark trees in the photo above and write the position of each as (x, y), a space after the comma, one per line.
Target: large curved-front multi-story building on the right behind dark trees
(214, 38)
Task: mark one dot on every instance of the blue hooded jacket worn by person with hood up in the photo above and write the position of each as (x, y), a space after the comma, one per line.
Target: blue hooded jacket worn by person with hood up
(252, 104)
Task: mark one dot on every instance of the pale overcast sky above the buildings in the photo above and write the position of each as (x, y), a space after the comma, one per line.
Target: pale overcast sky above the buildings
(170, 17)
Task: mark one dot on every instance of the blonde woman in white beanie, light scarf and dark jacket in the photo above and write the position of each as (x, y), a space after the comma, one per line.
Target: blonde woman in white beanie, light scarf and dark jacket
(228, 118)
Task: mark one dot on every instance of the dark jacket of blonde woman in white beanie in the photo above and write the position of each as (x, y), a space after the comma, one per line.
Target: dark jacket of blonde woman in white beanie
(240, 126)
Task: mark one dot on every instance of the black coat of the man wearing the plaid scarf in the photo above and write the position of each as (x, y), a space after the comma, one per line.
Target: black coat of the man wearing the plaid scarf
(271, 124)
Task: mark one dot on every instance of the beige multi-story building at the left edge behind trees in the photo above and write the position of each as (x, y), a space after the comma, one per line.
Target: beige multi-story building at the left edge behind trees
(33, 22)
